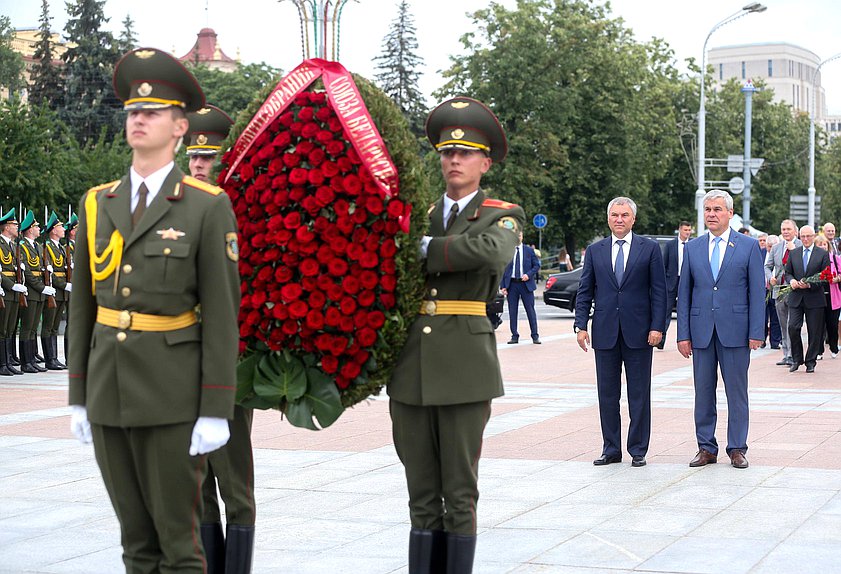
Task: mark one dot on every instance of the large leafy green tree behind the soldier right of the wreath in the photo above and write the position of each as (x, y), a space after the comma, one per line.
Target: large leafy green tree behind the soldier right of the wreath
(589, 111)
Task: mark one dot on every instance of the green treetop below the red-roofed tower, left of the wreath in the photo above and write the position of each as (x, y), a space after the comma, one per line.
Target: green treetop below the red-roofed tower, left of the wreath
(233, 91)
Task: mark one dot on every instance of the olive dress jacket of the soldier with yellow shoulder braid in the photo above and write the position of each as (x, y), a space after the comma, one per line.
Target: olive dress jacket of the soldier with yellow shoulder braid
(182, 253)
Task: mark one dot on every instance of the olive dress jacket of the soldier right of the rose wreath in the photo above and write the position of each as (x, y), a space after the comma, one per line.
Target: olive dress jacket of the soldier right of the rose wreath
(451, 359)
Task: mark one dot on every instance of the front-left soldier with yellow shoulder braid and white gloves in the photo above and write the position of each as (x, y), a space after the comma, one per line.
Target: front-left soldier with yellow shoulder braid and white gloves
(151, 382)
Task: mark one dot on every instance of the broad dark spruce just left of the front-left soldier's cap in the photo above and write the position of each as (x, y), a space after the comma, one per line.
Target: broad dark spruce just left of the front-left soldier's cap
(90, 104)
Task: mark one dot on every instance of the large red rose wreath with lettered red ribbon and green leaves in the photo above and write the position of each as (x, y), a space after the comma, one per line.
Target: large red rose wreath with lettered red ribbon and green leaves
(329, 261)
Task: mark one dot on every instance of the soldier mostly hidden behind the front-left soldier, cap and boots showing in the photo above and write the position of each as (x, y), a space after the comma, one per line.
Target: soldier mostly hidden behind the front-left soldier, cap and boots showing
(232, 466)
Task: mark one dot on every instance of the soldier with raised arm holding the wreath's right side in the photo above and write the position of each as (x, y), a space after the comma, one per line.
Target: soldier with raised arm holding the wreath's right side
(448, 372)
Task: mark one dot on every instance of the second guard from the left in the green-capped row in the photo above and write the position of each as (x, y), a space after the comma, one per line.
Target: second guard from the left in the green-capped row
(37, 293)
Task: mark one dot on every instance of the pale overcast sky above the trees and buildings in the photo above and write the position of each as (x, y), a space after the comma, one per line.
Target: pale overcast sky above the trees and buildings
(267, 30)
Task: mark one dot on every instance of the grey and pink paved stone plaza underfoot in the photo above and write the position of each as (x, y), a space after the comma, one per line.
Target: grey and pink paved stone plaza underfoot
(334, 501)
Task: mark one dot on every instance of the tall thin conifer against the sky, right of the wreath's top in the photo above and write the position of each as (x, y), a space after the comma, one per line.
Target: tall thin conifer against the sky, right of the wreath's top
(397, 68)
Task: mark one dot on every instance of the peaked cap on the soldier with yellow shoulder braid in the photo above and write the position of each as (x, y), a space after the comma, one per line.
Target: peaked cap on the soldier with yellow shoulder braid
(148, 78)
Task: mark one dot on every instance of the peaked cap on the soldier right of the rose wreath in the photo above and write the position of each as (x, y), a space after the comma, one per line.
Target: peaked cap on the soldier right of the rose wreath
(466, 123)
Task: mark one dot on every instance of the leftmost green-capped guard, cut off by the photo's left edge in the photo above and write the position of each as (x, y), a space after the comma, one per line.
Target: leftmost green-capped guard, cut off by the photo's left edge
(12, 290)
